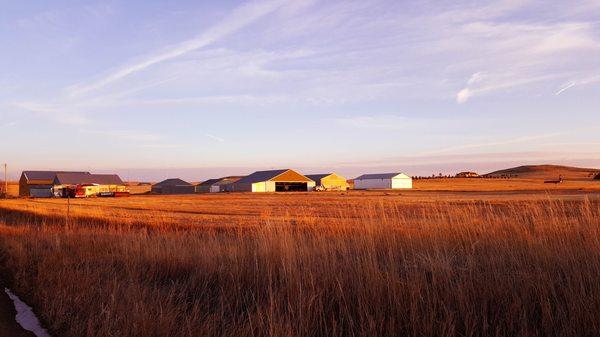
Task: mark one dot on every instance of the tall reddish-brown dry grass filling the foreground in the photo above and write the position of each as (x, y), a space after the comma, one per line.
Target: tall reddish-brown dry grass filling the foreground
(370, 269)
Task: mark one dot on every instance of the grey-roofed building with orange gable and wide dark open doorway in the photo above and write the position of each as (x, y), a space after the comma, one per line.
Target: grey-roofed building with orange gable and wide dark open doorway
(285, 180)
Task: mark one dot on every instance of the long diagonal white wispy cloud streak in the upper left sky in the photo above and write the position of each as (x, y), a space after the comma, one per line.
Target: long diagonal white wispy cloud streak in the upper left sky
(238, 19)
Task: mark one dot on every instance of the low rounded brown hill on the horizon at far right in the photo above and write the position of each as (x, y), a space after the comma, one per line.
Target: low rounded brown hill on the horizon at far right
(546, 172)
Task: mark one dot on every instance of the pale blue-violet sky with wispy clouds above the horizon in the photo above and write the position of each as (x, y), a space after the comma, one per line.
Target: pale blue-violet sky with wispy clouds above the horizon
(153, 89)
